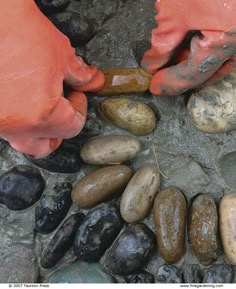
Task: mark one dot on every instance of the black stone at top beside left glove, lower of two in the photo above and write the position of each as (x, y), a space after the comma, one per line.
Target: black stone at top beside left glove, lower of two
(77, 28)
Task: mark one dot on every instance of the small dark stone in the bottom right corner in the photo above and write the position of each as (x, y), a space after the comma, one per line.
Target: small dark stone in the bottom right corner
(219, 273)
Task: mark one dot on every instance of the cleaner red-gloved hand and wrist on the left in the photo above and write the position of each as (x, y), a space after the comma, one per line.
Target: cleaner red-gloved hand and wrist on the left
(35, 61)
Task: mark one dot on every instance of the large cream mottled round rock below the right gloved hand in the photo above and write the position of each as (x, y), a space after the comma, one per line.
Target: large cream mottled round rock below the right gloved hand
(212, 108)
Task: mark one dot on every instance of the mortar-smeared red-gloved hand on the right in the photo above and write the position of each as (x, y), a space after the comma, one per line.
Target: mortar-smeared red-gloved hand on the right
(211, 54)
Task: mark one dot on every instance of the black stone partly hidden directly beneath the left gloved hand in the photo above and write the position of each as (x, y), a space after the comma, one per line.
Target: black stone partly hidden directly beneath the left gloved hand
(66, 159)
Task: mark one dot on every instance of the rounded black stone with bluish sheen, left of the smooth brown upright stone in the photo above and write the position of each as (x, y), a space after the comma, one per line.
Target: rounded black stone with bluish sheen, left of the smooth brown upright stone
(131, 250)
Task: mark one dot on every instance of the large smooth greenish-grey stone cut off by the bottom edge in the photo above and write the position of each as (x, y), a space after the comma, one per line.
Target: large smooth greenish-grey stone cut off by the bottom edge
(81, 272)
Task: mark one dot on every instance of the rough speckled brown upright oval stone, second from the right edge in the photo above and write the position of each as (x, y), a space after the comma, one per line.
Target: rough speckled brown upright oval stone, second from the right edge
(203, 229)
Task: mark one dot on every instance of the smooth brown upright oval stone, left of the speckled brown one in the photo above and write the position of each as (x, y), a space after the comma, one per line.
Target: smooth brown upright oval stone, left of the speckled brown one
(170, 219)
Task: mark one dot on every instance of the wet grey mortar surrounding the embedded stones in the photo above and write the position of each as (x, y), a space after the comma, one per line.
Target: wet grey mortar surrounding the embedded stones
(191, 160)
